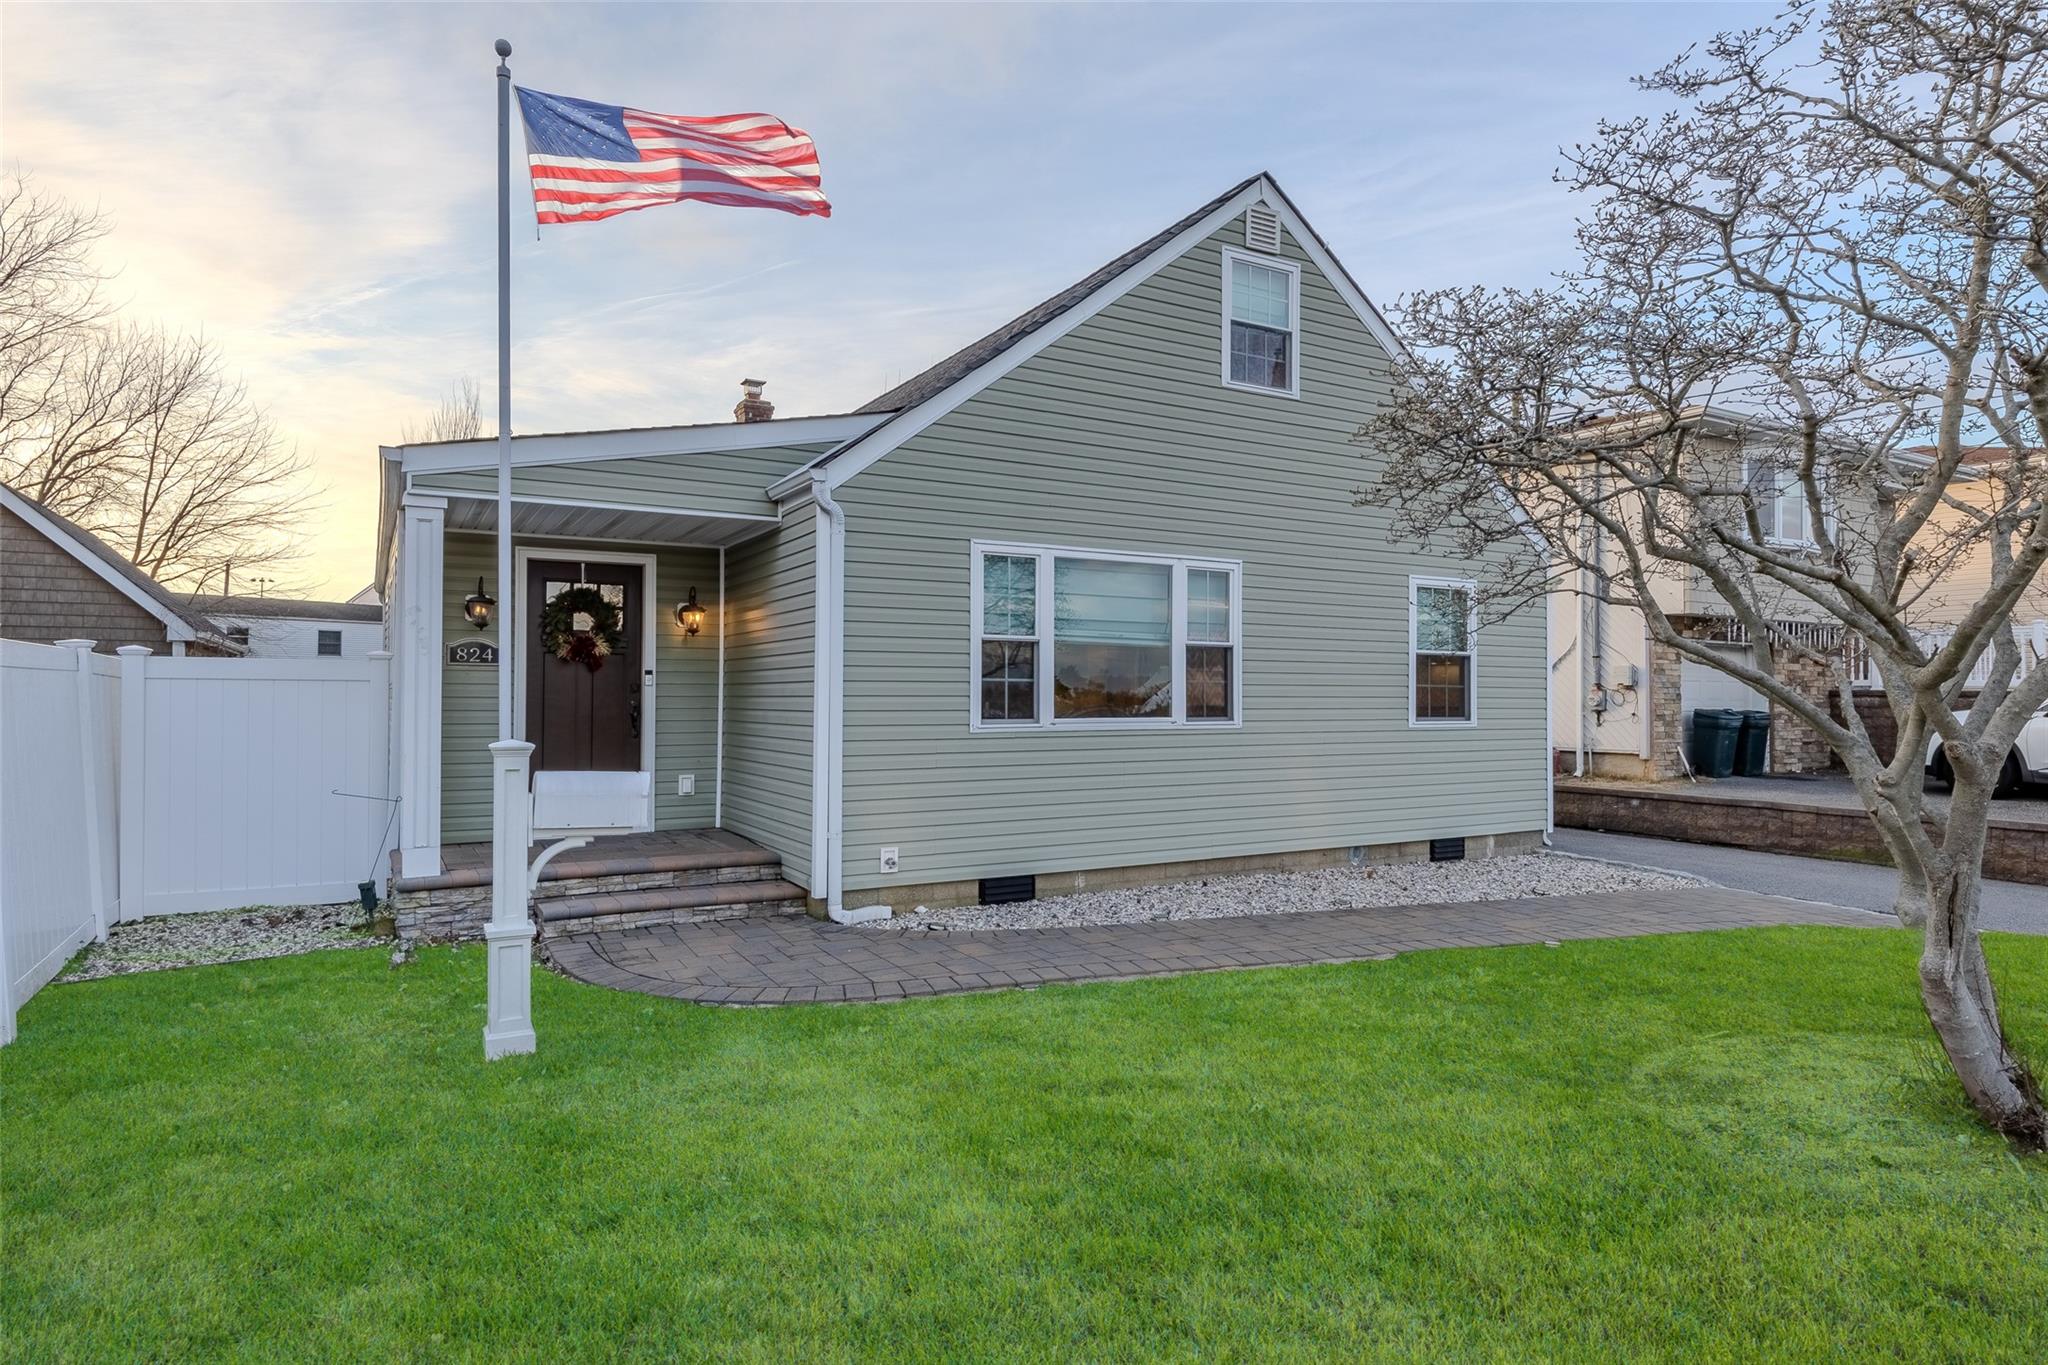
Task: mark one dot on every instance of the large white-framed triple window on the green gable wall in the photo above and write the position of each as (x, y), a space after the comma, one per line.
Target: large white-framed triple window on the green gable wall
(1105, 640)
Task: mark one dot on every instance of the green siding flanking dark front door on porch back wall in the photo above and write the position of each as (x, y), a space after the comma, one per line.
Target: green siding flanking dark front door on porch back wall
(687, 687)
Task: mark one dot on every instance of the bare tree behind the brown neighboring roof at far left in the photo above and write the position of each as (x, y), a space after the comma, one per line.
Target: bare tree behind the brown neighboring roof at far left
(138, 435)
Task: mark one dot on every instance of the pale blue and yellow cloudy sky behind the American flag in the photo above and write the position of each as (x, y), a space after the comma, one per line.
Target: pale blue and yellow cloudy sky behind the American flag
(312, 185)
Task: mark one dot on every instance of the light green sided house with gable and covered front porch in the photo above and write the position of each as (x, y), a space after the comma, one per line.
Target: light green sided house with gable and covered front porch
(1082, 605)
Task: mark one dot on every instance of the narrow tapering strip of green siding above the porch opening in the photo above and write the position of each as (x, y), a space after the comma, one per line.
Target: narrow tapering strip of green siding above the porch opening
(722, 482)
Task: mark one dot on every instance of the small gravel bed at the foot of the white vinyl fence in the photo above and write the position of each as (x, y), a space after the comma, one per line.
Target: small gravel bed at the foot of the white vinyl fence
(224, 936)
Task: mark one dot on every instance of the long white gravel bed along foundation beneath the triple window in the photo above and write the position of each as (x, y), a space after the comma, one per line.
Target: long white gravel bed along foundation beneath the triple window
(1293, 893)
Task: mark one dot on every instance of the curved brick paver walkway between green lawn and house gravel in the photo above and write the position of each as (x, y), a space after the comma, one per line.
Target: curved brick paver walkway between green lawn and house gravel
(794, 959)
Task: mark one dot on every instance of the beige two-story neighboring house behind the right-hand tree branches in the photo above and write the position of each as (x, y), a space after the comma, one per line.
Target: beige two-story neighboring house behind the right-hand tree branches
(1623, 705)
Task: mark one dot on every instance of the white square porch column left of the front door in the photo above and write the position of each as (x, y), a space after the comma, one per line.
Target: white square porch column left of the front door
(417, 644)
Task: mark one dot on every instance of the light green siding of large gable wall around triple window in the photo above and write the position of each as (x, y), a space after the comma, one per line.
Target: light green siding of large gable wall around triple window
(1123, 437)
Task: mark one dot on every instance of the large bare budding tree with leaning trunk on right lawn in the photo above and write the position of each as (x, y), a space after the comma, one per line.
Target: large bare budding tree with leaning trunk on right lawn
(1840, 232)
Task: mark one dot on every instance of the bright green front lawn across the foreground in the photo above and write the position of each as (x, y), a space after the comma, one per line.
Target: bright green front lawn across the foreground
(1734, 1145)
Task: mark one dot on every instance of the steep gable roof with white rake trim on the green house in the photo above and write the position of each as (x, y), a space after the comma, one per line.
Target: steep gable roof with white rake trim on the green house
(962, 376)
